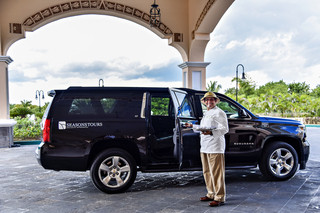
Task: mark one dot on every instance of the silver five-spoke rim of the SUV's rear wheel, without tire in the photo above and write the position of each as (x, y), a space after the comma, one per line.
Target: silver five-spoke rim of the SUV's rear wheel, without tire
(114, 172)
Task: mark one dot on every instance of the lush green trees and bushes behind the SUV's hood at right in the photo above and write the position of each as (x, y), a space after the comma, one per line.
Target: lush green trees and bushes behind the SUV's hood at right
(278, 98)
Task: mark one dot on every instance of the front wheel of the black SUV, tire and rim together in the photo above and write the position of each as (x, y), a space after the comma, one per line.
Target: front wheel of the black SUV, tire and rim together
(279, 161)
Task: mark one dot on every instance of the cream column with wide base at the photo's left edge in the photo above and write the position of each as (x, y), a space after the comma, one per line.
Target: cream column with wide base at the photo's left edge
(6, 124)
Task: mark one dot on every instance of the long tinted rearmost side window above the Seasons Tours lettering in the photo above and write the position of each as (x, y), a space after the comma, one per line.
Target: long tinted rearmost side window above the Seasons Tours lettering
(114, 105)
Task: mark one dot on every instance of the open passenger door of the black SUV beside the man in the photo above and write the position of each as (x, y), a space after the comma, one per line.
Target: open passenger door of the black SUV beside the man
(186, 141)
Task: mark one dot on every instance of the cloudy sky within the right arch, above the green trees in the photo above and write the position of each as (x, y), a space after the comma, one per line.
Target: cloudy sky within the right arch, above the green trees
(277, 40)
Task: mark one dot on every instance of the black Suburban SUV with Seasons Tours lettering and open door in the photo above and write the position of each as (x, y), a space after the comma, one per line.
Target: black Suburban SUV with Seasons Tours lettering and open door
(116, 131)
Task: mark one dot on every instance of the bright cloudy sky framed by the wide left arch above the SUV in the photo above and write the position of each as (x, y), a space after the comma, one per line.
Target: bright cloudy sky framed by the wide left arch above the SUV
(97, 53)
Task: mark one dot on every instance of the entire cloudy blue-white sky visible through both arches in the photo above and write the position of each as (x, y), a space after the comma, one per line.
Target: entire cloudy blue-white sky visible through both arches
(273, 40)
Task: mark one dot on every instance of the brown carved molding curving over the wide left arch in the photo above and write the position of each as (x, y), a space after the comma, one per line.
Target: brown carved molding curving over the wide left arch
(94, 5)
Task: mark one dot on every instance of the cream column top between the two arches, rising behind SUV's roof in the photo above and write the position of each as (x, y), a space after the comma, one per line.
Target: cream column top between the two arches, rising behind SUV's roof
(194, 75)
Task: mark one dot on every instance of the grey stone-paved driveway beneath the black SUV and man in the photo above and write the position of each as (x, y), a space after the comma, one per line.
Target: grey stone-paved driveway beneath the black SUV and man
(27, 187)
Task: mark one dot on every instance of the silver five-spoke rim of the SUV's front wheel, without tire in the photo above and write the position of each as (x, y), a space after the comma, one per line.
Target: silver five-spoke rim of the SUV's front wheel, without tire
(281, 162)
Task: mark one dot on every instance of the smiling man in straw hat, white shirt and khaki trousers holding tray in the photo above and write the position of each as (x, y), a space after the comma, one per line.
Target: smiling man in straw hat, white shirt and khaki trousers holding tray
(212, 150)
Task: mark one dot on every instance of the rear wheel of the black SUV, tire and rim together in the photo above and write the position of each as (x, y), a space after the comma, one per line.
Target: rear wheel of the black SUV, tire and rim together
(113, 171)
